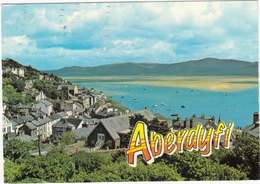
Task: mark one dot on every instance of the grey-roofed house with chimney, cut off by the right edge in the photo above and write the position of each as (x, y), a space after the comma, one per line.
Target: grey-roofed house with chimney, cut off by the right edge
(253, 129)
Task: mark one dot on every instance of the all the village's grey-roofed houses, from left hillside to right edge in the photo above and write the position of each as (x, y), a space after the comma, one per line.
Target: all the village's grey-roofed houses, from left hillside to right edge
(88, 114)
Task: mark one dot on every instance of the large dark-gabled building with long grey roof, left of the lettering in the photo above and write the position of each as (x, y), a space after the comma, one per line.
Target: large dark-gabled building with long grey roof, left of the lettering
(112, 132)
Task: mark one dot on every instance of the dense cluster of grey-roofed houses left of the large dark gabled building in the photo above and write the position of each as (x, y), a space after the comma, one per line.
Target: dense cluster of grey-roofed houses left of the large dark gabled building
(77, 111)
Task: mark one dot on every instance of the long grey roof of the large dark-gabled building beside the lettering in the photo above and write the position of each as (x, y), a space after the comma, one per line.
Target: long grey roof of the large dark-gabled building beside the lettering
(120, 123)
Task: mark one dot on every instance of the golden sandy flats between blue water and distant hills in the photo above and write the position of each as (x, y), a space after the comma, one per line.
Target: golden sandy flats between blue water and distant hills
(215, 83)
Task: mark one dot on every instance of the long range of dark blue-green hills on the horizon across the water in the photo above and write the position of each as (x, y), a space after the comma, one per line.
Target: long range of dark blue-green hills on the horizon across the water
(202, 67)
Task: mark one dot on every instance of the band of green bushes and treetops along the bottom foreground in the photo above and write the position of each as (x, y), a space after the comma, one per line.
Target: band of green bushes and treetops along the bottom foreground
(239, 163)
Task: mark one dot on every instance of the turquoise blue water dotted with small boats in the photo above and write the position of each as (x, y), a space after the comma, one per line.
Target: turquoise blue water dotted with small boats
(235, 106)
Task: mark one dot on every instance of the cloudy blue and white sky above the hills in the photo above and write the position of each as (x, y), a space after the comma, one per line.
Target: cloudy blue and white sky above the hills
(53, 36)
